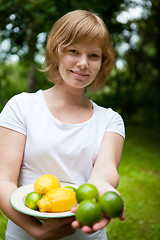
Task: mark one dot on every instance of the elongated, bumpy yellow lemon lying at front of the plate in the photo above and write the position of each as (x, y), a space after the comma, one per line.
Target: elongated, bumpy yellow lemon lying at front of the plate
(58, 200)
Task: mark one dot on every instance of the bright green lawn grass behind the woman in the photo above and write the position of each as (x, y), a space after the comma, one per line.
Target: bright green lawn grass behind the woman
(139, 186)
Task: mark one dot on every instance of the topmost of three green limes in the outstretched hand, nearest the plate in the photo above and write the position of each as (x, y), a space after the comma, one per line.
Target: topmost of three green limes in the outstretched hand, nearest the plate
(87, 191)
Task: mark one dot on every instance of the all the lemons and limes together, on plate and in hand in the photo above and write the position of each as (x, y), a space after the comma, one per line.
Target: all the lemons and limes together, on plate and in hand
(49, 196)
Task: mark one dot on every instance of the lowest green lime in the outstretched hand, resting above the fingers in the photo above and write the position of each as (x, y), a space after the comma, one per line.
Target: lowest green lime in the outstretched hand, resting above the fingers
(88, 212)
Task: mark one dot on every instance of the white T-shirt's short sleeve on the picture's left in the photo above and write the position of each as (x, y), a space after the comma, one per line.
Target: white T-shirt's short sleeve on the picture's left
(12, 116)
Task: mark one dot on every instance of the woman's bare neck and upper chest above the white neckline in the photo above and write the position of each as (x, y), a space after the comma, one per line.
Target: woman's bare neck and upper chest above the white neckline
(68, 107)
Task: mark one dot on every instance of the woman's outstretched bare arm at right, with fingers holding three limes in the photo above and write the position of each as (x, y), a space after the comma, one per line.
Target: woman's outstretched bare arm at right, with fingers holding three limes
(104, 174)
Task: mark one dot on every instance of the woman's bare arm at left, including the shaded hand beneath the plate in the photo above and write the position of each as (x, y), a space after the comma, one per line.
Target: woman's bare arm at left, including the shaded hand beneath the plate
(12, 145)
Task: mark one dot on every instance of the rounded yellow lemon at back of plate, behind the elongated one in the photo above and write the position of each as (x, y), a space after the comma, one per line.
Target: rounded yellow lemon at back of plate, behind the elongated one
(45, 183)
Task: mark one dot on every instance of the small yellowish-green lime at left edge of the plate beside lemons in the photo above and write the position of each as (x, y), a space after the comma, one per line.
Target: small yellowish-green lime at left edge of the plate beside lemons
(32, 199)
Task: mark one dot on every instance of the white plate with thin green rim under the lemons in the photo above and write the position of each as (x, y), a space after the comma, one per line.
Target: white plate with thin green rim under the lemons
(17, 200)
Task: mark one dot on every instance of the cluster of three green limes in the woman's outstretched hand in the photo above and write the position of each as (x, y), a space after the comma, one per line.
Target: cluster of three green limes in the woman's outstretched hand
(91, 206)
